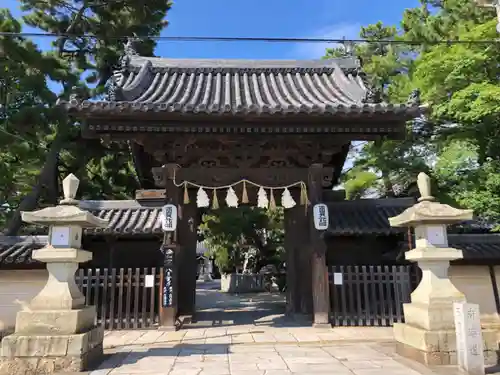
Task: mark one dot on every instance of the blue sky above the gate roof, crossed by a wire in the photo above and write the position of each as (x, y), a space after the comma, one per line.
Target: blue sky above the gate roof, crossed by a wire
(271, 18)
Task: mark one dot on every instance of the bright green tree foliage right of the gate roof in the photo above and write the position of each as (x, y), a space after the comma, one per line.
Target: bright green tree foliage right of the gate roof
(457, 142)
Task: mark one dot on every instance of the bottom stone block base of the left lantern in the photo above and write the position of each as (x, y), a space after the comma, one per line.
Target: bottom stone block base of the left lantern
(46, 354)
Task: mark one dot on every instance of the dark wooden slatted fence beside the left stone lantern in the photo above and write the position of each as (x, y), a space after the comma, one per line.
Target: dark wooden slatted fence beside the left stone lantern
(121, 297)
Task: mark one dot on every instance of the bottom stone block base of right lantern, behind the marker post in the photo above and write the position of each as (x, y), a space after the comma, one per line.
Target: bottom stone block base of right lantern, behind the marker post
(435, 348)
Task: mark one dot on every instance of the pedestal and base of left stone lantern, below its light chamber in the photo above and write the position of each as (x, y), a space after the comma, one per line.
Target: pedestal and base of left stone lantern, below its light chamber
(56, 331)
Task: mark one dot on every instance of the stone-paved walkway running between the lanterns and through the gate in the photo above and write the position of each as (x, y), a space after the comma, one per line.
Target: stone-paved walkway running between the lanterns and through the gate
(251, 336)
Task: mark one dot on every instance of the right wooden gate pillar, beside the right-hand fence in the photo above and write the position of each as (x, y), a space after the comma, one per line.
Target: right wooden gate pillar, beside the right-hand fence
(320, 287)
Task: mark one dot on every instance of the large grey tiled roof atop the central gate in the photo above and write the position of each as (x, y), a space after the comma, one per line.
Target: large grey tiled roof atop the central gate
(239, 87)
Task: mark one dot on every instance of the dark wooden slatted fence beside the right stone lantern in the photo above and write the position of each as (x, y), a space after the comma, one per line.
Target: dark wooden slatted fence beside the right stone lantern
(370, 295)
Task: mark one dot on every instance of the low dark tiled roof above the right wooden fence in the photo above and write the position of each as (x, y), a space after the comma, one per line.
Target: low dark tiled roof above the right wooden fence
(366, 216)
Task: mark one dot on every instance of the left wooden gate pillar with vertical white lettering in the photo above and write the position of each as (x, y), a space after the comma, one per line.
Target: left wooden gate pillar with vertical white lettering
(169, 249)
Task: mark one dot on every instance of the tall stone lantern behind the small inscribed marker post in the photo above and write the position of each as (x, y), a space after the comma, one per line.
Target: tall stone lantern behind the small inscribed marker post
(428, 334)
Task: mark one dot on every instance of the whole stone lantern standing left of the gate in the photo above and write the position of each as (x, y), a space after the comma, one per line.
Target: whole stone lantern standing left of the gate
(56, 331)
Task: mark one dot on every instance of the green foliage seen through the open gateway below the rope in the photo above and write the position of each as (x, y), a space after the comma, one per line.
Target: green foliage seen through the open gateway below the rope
(231, 233)
